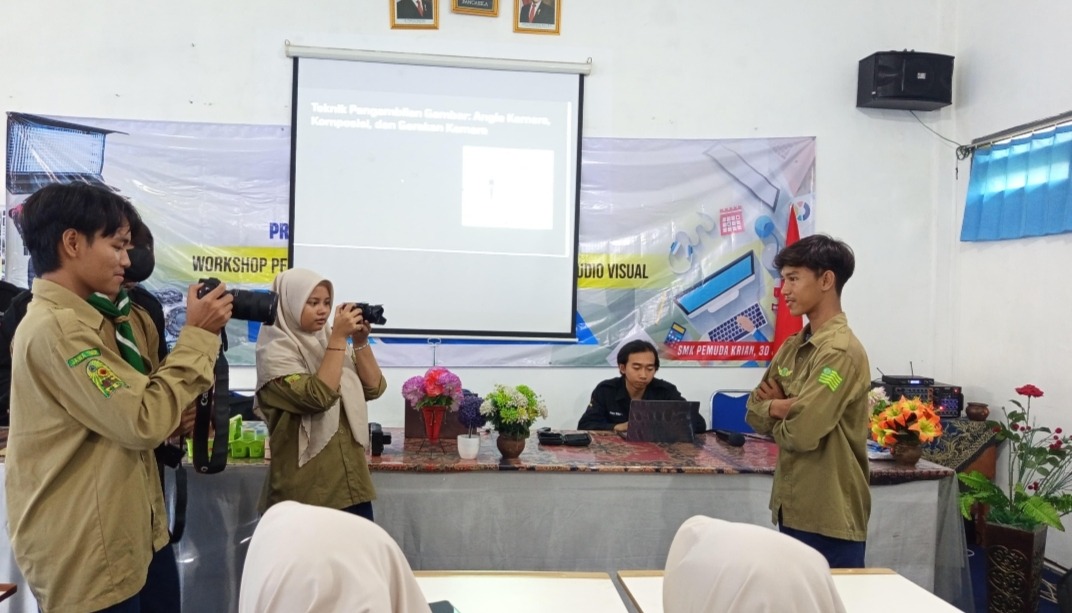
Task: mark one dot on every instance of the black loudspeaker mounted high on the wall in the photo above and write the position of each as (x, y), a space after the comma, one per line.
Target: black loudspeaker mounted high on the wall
(906, 81)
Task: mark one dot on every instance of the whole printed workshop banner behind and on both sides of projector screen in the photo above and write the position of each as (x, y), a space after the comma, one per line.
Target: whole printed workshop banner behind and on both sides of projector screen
(677, 237)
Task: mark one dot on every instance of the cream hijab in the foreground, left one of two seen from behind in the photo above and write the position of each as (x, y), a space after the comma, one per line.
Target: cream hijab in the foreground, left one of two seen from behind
(314, 560)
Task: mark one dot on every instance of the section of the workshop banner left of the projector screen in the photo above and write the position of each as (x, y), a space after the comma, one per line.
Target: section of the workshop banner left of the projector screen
(215, 197)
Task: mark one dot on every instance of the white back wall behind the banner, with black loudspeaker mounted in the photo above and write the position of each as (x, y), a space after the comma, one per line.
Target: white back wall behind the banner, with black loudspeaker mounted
(708, 70)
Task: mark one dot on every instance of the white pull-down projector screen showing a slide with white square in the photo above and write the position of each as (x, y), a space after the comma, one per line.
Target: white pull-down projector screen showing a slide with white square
(481, 263)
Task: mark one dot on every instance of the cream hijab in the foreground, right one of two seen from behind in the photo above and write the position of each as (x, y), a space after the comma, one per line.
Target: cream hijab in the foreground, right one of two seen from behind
(716, 566)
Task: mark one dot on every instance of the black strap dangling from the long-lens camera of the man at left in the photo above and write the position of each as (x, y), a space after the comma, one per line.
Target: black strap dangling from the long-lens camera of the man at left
(214, 411)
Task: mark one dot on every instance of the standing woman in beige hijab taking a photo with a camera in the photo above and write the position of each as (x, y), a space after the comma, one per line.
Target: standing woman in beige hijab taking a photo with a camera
(312, 388)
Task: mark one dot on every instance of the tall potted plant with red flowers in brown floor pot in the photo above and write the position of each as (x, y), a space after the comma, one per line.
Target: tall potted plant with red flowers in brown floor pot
(1035, 499)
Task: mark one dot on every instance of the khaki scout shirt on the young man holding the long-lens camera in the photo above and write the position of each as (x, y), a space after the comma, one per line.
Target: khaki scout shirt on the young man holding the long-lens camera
(84, 502)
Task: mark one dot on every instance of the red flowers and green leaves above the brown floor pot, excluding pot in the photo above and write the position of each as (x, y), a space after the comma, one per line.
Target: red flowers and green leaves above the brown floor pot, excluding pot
(1039, 473)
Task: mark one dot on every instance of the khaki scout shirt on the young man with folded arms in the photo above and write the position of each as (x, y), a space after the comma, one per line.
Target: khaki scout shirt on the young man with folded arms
(822, 480)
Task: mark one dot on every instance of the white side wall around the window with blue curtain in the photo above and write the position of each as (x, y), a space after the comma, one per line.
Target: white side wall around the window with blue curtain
(1011, 298)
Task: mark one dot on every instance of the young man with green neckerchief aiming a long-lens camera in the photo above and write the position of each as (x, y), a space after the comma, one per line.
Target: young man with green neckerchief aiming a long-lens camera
(85, 420)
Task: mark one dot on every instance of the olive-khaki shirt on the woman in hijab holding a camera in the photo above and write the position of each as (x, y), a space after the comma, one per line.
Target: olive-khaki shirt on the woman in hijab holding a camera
(338, 477)
